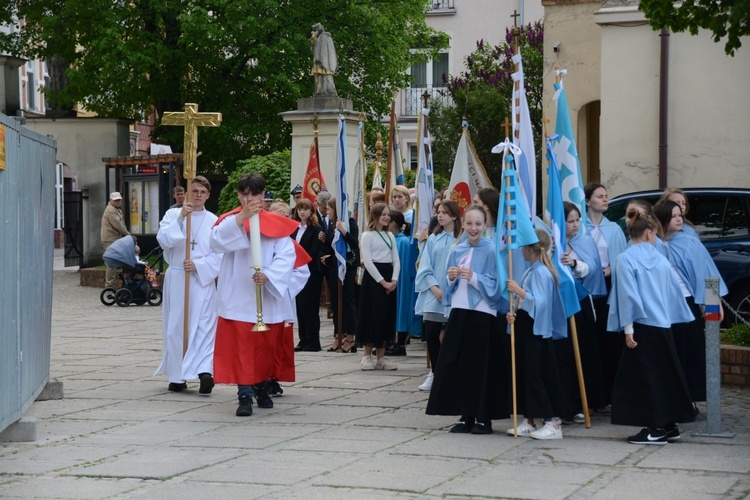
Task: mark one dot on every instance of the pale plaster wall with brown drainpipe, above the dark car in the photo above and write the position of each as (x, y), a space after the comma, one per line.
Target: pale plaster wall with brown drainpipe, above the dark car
(708, 108)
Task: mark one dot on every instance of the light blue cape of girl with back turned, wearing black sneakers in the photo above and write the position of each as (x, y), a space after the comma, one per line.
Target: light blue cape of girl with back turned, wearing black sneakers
(645, 290)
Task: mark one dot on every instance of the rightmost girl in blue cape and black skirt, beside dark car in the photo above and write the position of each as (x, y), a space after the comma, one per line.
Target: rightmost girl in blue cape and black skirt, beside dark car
(693, 264)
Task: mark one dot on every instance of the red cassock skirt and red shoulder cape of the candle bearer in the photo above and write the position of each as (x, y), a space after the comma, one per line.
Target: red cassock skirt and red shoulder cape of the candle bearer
(245, 357)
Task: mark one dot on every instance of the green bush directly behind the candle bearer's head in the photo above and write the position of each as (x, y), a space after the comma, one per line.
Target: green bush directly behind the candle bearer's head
(275, 168)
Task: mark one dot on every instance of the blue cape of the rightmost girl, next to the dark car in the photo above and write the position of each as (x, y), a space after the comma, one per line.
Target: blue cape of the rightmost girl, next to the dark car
(694, 264)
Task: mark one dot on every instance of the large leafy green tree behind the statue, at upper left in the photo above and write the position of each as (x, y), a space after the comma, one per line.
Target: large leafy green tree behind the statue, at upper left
(249, 60)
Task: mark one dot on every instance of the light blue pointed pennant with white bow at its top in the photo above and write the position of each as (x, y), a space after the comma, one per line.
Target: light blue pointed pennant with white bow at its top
(514, 227)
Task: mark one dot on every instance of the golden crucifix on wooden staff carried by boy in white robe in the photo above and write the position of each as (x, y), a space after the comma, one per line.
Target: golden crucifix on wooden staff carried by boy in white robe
(191, 120)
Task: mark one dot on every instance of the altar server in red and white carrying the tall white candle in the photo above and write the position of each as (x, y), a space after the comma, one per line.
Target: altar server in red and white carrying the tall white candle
(242, 356)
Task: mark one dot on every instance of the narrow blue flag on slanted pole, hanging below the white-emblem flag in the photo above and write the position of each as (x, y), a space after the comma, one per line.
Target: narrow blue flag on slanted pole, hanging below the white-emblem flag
(571, 291)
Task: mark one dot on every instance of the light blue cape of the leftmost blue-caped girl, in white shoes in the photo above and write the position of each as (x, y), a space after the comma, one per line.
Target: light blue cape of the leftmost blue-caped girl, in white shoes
(433, 266)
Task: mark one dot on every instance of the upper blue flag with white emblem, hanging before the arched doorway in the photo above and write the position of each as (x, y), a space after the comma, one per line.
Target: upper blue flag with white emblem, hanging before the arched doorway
(567, 155)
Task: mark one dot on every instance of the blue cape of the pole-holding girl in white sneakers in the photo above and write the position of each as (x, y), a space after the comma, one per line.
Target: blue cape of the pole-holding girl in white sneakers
(543, 302)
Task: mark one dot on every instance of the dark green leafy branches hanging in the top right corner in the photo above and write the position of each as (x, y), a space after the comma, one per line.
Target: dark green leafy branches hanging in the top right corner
(725, 20)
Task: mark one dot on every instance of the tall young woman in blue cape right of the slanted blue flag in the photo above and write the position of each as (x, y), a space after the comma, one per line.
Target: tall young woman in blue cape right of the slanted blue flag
(610, 241)
